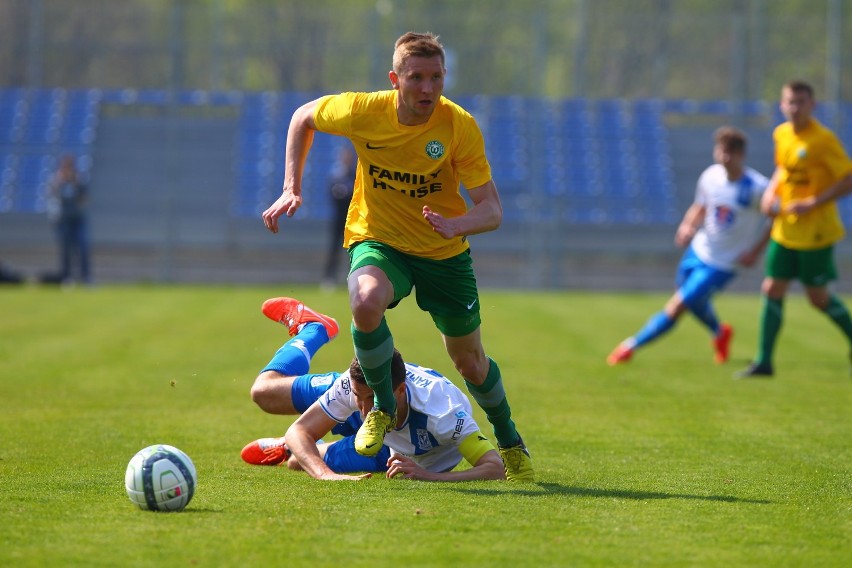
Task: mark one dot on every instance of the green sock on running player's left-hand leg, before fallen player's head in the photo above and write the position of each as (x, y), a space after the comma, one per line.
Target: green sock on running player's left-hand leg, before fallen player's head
(374, 351)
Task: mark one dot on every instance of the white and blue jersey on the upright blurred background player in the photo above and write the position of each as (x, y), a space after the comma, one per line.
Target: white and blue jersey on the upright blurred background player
(733, 223)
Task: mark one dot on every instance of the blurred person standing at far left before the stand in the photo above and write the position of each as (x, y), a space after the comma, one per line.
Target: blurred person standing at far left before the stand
(67, 201)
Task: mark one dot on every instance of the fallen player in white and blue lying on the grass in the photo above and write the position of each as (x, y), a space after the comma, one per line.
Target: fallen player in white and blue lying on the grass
(435, 429)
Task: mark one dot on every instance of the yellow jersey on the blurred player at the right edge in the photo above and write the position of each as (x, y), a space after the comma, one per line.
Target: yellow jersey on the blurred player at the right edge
(808, 162)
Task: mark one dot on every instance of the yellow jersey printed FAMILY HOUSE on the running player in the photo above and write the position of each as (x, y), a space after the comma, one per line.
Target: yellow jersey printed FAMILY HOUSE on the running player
(402, 168)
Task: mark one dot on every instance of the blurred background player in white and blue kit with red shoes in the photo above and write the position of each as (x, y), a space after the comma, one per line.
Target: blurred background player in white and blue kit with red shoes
(722, 229)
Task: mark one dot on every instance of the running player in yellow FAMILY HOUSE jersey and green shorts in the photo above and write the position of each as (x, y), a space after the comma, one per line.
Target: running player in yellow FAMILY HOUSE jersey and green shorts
(407, 228)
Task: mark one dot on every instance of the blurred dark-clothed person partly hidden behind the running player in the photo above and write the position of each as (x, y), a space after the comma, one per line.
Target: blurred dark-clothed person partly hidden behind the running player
(340, 190)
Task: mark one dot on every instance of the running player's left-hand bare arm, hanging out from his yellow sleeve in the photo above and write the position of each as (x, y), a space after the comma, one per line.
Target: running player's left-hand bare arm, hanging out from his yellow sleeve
(300, 136)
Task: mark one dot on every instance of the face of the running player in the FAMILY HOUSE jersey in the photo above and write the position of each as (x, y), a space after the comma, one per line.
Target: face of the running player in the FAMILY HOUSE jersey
(420, 83)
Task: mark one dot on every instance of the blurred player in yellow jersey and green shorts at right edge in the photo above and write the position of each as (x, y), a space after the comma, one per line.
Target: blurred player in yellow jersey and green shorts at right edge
(812, 172)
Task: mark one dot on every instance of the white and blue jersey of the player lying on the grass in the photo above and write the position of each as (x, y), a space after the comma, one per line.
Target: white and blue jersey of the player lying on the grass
(439, 417)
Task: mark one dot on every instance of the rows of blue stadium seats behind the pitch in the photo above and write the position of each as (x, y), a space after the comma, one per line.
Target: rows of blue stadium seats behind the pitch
(582, 161)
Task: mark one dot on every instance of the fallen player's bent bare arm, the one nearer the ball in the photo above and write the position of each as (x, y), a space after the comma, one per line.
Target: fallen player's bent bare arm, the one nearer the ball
(302, 437)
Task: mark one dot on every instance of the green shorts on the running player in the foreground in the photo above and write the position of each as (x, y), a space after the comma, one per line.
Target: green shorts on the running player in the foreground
(444, 288)
